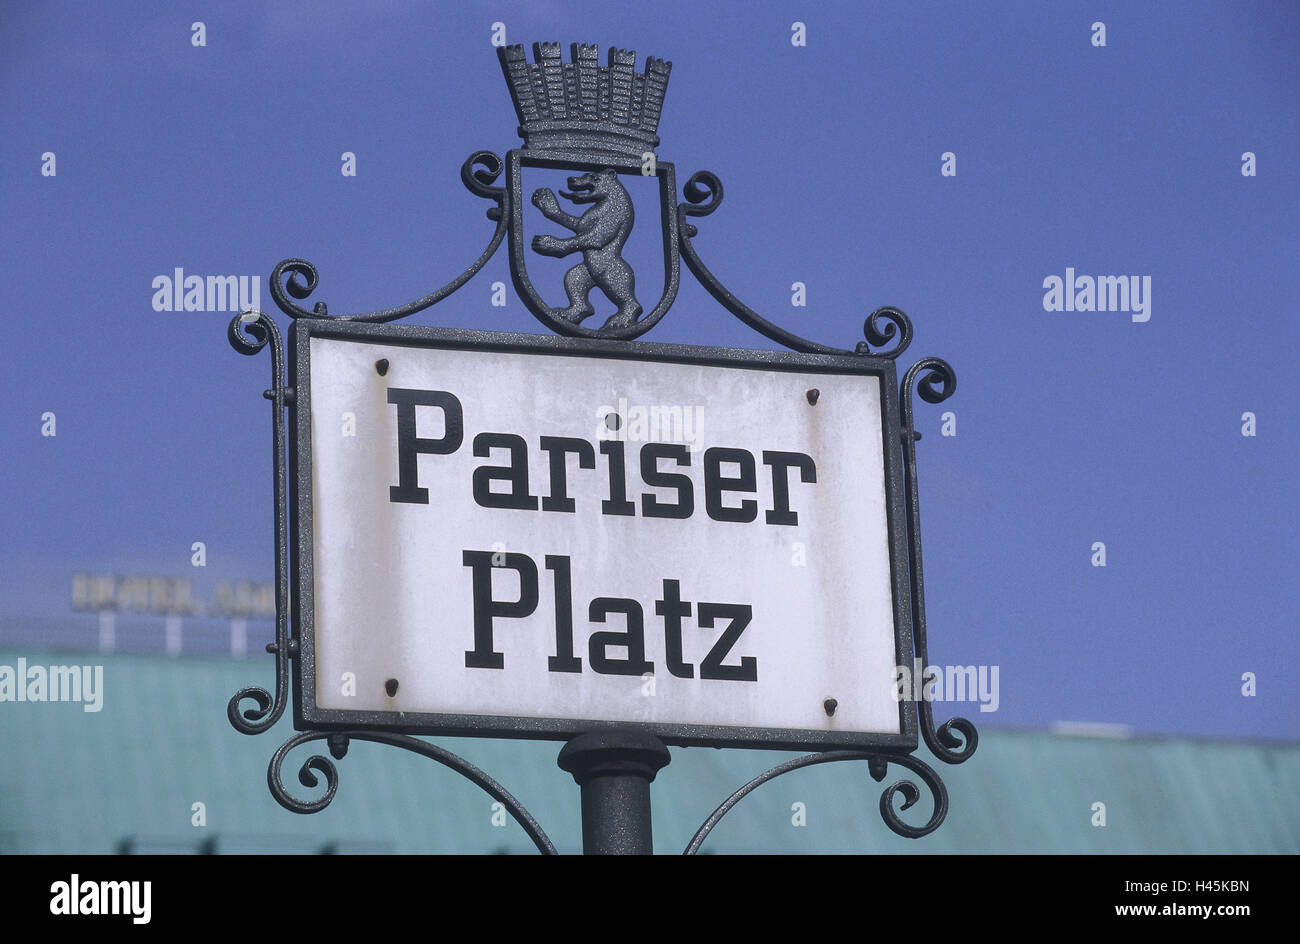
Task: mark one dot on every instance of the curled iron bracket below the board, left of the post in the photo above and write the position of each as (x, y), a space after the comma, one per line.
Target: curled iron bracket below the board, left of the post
(339, 744)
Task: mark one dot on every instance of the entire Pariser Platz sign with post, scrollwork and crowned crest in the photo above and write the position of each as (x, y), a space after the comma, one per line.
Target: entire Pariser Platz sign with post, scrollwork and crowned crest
(669, 545)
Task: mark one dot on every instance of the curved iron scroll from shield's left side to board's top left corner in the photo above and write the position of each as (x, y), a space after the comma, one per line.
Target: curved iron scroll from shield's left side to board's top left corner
(478, 174)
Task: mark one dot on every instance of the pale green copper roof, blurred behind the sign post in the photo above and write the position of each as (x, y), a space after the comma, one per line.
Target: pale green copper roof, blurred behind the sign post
(81, 782)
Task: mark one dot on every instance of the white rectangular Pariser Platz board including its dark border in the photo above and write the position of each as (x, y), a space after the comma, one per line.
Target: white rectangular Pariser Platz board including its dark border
(539, 536)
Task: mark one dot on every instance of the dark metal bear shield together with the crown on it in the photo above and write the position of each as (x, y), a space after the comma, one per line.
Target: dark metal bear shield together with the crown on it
(600, 125)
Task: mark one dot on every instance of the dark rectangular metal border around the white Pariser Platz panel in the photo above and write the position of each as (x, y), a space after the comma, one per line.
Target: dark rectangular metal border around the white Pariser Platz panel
(310, 716)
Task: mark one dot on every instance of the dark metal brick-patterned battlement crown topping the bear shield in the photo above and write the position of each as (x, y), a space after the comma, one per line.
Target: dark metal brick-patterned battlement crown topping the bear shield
(584, 106)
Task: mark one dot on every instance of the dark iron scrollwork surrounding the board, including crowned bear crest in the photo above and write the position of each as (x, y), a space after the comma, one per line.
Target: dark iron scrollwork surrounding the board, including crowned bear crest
(593, 124)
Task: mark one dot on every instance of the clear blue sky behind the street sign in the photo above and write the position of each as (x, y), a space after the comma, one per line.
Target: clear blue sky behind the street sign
(1072, 427)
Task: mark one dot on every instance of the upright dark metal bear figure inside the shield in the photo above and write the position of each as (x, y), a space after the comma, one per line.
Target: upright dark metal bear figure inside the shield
(600, 236)
